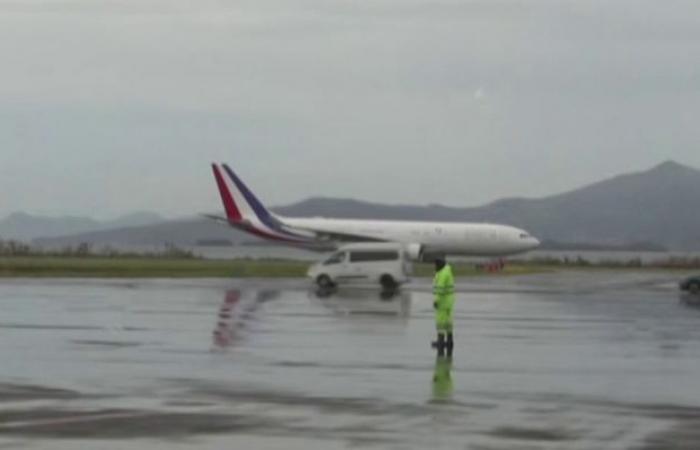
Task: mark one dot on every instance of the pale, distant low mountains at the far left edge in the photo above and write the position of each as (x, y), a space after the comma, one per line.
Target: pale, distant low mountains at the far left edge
(25, 227)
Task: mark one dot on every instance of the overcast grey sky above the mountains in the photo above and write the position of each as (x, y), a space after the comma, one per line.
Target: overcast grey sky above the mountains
(112, 106)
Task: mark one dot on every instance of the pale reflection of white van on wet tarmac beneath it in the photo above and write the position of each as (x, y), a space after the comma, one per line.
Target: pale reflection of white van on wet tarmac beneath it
(365, 302)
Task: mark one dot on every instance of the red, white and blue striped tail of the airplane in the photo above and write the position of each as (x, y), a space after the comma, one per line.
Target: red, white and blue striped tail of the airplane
(245, 211)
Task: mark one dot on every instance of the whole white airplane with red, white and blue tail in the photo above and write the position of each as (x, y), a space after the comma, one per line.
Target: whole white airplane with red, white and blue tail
(245, 212)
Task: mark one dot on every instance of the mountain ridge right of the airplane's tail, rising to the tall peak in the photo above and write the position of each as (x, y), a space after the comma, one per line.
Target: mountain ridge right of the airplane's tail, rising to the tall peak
(660, 205)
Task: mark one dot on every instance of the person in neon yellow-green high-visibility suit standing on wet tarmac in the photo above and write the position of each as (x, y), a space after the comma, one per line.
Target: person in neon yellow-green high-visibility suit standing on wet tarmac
(443, 290)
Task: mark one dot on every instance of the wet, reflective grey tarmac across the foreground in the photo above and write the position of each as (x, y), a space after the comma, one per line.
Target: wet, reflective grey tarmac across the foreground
(575, 360)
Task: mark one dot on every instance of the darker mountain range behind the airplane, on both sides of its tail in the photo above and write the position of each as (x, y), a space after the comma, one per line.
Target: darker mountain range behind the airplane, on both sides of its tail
(657, 207)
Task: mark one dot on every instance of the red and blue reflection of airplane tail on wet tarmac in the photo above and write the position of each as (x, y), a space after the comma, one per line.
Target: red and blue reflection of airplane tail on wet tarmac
(235, 313)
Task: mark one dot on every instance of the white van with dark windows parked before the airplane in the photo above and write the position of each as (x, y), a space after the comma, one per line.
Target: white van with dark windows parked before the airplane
(386, 264)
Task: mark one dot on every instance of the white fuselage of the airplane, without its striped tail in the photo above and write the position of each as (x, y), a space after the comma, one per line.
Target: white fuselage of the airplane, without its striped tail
(471, 239)
